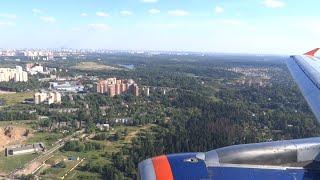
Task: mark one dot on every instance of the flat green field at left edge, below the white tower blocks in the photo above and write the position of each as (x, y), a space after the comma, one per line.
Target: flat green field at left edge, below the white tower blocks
(15, 98)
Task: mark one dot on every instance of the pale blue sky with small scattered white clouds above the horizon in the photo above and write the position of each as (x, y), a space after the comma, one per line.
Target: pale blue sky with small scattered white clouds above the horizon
(245, 26)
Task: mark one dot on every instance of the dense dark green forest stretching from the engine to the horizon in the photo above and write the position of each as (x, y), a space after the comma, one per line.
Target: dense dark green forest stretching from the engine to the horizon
(207, 109)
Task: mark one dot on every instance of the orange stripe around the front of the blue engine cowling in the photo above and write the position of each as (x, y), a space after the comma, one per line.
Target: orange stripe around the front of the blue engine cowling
(162, 168)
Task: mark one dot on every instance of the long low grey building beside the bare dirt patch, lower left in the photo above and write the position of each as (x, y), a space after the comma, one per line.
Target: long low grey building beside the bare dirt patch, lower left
(24, 149)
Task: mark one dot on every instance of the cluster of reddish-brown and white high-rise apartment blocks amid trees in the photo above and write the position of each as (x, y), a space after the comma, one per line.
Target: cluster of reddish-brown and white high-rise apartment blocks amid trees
(114, 86)
